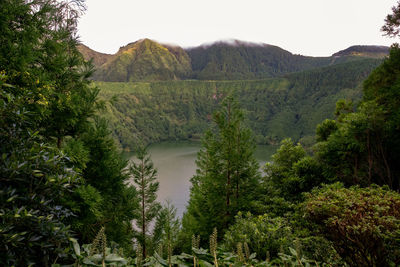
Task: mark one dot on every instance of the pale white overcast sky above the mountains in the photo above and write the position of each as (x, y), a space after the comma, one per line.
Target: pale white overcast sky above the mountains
(306, 27)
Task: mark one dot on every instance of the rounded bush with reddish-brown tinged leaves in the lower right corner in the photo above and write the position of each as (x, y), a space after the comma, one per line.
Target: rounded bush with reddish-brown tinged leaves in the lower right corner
(363, 223)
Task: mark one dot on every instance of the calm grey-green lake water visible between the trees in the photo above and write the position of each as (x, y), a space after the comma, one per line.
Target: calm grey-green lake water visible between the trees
(175, 163)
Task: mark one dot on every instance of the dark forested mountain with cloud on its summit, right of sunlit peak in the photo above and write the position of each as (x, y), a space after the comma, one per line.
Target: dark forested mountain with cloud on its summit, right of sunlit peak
(241, 60)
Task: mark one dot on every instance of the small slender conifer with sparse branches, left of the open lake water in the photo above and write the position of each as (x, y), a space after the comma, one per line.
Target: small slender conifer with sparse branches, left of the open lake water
(144, 178)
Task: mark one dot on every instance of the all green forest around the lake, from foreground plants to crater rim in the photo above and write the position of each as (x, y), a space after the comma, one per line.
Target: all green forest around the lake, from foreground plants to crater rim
(69, 198)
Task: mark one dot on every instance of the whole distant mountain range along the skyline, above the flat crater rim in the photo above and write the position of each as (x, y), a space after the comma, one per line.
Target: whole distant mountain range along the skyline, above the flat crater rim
(148, 60)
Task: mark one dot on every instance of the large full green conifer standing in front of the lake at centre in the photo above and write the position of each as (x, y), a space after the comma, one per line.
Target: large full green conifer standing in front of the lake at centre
(227, 174)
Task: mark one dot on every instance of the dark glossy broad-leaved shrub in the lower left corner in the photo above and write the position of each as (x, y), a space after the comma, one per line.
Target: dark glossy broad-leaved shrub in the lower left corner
(34, 178)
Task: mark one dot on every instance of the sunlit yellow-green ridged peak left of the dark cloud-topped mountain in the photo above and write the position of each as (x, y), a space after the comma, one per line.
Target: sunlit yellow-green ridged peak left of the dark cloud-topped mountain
(145, 60)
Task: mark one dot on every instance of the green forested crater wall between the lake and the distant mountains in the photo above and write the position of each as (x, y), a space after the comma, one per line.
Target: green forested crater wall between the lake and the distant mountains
(290, 106)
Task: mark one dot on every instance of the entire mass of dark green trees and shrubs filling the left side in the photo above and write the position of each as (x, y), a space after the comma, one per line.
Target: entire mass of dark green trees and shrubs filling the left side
(51, 103)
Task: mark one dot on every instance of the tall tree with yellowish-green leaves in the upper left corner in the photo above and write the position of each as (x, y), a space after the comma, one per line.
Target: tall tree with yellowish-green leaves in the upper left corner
(39, 43)
